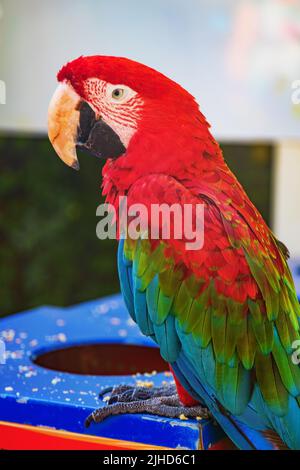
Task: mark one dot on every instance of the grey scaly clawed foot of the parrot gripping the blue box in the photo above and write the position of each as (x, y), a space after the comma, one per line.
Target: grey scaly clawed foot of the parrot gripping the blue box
(161, 401)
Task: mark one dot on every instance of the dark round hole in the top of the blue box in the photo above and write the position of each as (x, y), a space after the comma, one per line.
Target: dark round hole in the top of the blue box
(103, 359)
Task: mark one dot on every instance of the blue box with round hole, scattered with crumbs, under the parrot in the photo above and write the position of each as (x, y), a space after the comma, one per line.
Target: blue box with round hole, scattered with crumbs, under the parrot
(48, 379)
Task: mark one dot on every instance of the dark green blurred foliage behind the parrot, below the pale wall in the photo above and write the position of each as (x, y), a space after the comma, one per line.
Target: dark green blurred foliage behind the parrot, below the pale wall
(49, 252)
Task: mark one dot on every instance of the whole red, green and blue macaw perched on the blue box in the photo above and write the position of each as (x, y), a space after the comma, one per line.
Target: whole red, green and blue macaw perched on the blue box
(225, 316)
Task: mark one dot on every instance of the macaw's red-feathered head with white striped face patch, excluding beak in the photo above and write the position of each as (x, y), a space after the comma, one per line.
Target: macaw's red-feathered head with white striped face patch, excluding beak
(168, 133)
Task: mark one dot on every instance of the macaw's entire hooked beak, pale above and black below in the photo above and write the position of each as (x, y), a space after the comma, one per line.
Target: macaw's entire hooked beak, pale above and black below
(72, 123)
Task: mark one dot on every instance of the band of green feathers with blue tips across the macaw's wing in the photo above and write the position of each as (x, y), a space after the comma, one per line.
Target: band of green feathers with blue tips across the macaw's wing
(252, 341)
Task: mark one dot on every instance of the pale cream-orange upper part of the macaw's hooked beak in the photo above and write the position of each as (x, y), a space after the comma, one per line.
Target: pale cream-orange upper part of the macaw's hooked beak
(63, 123)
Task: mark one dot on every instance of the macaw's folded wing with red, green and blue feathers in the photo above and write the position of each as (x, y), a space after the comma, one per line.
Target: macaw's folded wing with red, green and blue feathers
(232, 303)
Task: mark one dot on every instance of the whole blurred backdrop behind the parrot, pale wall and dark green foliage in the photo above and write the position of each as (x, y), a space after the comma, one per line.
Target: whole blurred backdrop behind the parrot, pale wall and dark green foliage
(241, 60)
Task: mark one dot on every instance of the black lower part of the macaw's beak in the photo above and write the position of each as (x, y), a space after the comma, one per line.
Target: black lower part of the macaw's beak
(95, 136)
